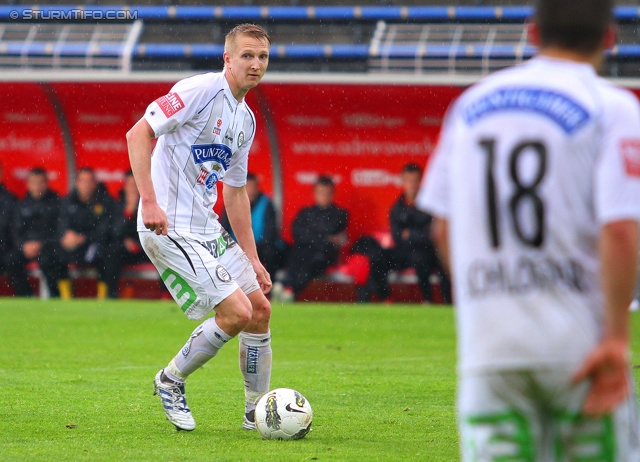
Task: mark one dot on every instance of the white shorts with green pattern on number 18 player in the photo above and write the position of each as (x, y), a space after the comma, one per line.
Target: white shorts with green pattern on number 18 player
(534, 416)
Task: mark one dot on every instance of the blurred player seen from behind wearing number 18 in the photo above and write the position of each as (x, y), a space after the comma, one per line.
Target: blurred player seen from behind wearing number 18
(535, 184)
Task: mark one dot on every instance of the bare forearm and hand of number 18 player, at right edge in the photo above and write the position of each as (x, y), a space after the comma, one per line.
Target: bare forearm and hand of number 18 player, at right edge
(607, 365)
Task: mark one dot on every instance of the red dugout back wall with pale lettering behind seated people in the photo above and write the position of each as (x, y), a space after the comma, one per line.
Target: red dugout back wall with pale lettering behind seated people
(359, 134)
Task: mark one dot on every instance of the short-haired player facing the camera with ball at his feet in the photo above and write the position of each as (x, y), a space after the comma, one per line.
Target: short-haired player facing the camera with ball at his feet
(205, 130)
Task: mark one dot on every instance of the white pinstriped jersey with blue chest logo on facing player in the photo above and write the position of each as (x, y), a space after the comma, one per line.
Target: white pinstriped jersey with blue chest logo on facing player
(204, 136)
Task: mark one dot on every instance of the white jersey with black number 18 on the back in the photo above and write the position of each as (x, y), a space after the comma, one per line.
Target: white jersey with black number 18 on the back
(531, 162)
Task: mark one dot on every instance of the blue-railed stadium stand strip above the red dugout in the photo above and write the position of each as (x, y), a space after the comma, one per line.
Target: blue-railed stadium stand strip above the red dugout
(451, 40)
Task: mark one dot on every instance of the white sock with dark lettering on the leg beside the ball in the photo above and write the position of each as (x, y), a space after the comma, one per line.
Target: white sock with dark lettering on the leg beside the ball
(255, 364)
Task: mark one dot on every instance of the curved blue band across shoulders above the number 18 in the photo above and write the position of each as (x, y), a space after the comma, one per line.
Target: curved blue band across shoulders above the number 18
(565, 112)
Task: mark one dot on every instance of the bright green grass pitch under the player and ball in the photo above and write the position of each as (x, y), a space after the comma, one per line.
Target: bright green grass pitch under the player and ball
(77, 383)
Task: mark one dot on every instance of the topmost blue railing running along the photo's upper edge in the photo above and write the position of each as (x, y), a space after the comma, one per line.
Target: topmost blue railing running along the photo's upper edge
(292, 13)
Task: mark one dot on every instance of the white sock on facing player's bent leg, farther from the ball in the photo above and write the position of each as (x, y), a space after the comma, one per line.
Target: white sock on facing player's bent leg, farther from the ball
(204, 344)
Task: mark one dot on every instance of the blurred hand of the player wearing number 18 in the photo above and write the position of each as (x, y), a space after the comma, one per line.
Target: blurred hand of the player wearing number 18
(607, 367)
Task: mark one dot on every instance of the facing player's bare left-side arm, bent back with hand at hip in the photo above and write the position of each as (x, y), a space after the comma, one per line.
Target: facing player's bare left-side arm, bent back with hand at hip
(139, 142)
